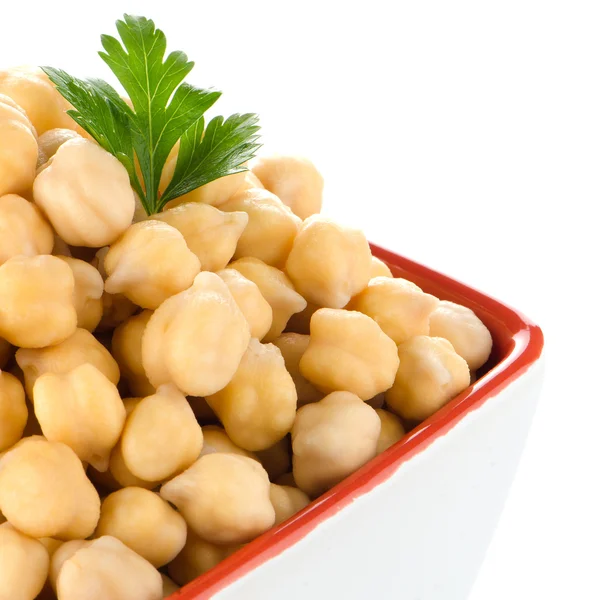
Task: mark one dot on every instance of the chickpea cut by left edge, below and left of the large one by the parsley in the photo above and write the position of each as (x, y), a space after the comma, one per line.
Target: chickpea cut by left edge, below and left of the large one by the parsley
(23, 229)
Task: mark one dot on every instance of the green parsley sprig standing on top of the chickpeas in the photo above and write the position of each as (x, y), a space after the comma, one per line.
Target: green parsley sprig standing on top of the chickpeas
(165, 110)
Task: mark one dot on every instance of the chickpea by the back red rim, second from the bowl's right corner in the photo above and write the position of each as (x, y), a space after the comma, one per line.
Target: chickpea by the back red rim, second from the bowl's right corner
(399, 307)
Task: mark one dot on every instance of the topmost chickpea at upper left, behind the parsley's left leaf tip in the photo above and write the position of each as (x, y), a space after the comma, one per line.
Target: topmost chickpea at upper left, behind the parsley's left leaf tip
(31, 88)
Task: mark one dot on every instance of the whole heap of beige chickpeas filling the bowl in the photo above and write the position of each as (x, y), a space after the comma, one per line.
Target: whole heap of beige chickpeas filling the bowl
(174, 386)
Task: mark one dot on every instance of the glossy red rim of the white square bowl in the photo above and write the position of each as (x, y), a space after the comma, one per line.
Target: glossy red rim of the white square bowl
(518, 344)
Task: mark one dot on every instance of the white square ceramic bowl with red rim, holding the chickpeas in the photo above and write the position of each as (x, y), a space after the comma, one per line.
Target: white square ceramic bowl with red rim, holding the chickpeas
(414, 523)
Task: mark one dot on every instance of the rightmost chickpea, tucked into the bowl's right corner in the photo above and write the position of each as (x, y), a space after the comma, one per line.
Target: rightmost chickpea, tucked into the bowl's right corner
(466, 332)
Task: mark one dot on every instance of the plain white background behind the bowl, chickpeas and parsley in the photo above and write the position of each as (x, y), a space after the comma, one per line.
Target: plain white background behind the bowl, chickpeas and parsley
(465, 135)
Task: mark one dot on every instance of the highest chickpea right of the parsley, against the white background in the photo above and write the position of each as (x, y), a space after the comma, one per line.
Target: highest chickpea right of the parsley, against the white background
(294, 179)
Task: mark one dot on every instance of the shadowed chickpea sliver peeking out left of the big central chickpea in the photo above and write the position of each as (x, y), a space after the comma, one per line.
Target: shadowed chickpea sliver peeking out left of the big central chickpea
(127, 350)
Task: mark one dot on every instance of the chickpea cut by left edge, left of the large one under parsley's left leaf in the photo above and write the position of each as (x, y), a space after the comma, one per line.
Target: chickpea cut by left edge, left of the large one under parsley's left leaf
(19, 149)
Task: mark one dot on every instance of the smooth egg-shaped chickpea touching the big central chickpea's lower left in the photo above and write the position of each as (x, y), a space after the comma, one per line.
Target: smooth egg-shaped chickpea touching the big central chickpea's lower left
(161, 437)
